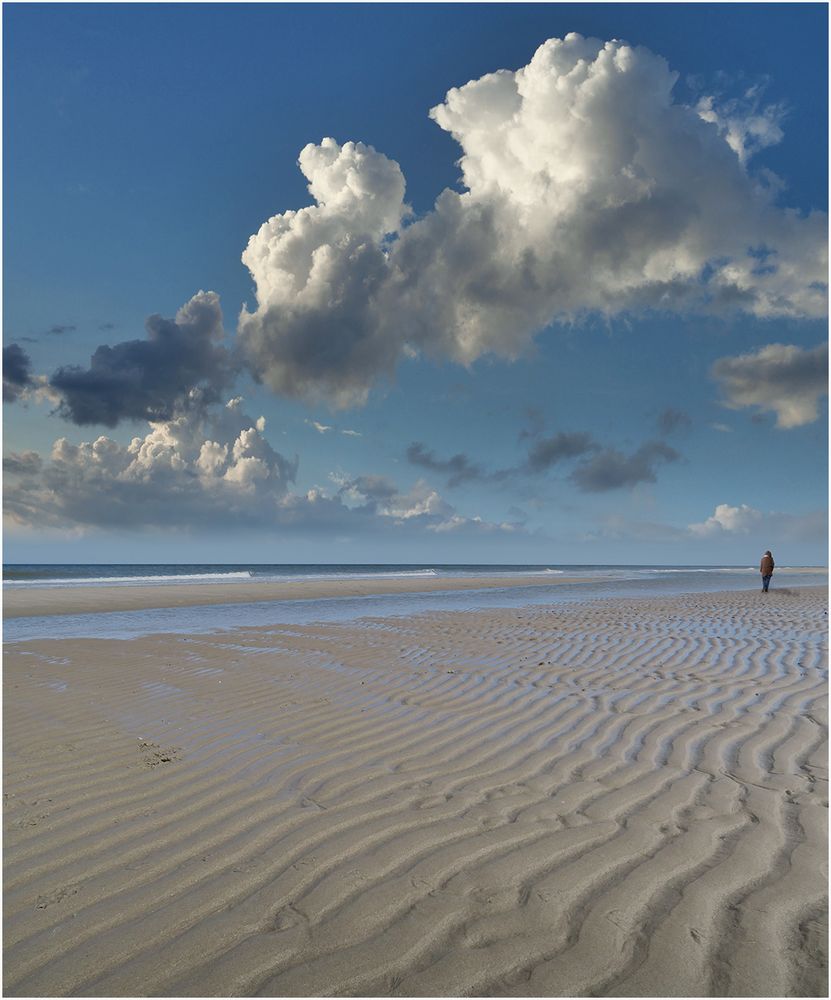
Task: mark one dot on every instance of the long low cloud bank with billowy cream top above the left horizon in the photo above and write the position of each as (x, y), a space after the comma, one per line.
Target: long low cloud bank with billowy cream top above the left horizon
(213, 467)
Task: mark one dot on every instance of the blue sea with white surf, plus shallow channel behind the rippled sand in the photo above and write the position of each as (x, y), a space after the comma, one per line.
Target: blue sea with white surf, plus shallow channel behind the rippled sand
(591, 581)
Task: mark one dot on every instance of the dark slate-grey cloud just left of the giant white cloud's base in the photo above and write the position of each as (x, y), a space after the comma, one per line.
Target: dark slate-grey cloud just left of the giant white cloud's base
(154, 378)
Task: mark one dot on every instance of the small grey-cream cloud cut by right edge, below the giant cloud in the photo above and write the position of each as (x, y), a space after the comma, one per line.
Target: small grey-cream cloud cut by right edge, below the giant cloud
(780, 378)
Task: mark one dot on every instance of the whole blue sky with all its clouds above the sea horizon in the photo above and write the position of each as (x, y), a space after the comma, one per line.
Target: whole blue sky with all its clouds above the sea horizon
(448, 283)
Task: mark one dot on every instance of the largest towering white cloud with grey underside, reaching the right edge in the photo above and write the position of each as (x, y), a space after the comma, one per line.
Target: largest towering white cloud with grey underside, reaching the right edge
(586, 188)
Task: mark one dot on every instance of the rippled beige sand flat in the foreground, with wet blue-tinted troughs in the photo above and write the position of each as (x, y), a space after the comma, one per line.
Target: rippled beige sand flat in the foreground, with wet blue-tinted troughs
(618, 797)
